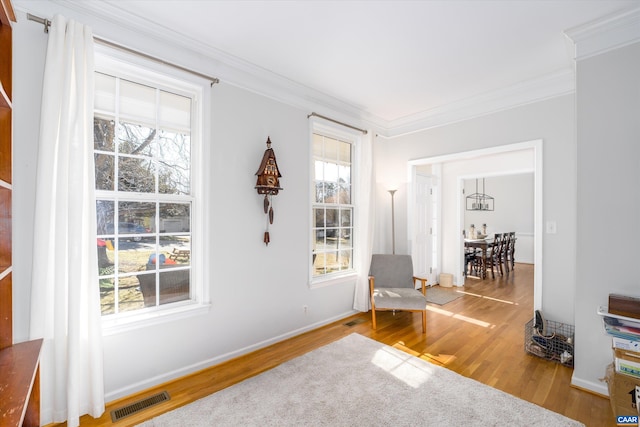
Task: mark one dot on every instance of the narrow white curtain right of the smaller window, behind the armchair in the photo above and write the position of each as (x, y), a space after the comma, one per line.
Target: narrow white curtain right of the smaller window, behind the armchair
(365, 220)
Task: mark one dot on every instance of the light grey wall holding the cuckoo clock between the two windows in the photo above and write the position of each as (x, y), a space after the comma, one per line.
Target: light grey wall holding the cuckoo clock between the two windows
(257, 291)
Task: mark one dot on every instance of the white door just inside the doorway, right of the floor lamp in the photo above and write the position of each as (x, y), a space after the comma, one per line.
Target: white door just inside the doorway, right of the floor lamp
(425, 228)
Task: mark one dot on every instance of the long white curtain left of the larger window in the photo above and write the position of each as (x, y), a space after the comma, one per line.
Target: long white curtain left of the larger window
(65, 302)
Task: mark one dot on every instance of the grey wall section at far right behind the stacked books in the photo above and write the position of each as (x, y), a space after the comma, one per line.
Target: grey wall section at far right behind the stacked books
(608, 106)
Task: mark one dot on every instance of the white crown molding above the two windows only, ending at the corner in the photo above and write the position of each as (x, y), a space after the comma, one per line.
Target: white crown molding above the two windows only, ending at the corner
(109, 22)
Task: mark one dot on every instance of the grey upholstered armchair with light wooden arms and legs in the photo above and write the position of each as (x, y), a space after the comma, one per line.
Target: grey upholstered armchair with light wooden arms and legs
(392, 286)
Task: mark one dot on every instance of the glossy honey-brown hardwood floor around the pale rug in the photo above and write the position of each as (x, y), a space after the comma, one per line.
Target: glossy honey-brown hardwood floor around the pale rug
(479, 335)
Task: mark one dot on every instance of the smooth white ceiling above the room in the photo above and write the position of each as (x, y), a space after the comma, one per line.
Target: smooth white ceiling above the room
(391, 60)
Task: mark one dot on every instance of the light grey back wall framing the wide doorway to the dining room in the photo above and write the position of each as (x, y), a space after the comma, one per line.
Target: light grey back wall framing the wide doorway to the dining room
(552, 121)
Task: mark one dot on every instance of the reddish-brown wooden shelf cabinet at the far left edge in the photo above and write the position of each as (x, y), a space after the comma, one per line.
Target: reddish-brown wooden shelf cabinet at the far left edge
(19, 363)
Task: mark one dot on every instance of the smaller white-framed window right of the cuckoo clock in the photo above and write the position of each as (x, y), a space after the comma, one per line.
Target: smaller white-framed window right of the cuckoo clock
(332, 204)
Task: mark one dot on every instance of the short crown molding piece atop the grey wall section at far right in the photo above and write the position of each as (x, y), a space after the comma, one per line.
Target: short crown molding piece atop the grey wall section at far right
(605, 34)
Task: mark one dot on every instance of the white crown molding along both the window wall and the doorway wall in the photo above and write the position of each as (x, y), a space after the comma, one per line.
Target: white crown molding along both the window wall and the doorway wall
(109, 22)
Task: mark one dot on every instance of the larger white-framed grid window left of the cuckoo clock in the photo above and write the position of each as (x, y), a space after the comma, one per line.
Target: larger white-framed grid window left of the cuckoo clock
(147, 136)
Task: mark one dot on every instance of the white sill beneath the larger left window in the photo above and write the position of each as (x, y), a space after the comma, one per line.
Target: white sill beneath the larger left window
(145, 318)
